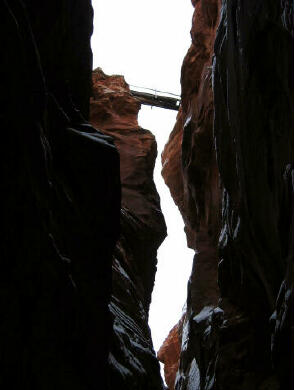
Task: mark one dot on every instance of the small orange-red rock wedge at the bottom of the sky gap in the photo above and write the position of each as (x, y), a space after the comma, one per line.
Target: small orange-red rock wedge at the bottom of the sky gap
(169, 353)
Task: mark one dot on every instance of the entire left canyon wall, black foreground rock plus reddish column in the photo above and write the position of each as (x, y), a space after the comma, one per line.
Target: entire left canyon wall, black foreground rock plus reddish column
(81, 219)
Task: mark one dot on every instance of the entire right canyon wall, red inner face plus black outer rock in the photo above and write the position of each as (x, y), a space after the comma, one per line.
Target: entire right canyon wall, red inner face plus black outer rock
(228, 164)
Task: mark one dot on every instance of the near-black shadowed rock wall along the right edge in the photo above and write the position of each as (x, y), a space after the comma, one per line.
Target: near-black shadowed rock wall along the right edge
(253, 88)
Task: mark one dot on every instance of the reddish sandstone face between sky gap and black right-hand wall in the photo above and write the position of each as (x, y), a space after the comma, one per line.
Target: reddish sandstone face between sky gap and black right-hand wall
(190, 170)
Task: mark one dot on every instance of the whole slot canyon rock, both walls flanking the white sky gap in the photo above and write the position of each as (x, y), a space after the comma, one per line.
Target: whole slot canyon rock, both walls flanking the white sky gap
(81, 220)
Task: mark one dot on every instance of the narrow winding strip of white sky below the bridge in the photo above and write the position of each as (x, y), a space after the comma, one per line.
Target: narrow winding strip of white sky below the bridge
(174, 257)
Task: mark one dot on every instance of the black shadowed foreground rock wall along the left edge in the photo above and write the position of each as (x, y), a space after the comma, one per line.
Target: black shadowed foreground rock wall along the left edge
(61, 202)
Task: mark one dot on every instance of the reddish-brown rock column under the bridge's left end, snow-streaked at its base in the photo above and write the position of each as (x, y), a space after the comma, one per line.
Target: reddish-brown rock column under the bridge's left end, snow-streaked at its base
(133, 364)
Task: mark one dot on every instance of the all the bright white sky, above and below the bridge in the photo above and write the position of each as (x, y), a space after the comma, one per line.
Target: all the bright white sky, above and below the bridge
(146, 42)
